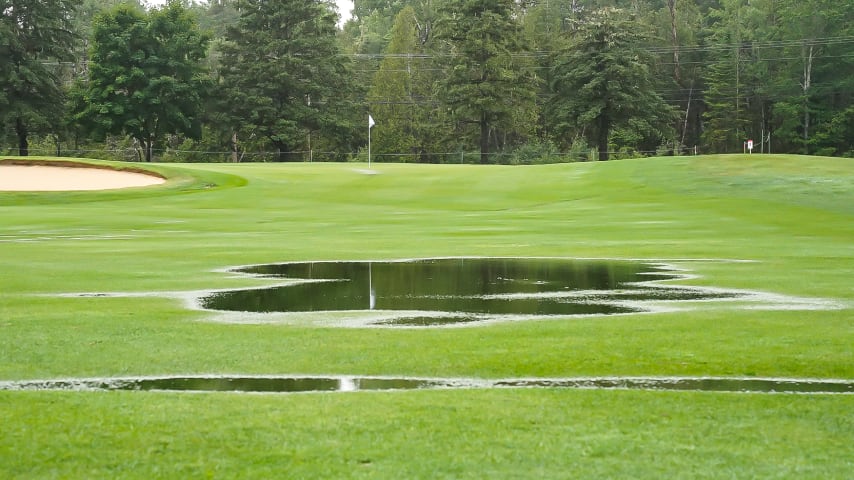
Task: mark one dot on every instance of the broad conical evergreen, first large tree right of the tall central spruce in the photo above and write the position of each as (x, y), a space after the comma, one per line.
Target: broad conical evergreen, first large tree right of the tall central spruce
(602, 81)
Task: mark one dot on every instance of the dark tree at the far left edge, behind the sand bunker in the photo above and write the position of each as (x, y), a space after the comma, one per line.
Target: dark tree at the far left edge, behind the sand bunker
(35, 37)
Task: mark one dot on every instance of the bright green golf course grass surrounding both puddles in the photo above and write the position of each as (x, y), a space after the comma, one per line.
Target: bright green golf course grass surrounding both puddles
(793, 217)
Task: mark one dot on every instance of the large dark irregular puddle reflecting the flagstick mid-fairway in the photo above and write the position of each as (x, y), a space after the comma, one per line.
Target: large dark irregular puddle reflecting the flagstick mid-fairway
(448, 291)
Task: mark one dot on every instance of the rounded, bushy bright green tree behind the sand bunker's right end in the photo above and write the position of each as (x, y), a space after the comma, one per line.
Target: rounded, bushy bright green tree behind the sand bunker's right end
(145, 77)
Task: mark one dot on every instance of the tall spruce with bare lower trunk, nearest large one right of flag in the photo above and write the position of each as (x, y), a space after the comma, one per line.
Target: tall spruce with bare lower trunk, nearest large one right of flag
(486, 85)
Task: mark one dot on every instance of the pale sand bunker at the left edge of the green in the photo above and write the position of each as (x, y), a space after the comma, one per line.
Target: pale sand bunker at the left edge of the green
(38, 178)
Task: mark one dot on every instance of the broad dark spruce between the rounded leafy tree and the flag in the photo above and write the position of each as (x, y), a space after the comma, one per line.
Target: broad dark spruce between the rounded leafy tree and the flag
(283, 76)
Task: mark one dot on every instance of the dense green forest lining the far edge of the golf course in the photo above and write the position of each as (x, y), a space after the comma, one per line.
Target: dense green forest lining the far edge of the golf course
(444, 81)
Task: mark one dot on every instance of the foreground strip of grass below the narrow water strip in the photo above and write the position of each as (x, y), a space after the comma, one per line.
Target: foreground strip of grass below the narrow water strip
(435, 434)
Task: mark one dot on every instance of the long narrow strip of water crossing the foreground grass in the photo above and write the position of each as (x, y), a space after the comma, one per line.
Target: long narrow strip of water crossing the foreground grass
(267, 384)
